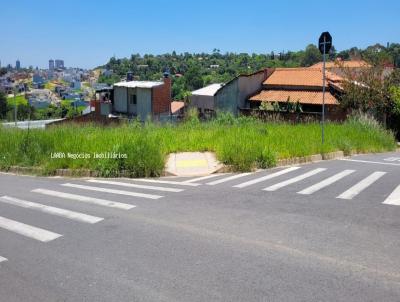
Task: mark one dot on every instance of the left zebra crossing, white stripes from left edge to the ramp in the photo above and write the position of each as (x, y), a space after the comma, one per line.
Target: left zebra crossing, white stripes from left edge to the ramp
(136, 189)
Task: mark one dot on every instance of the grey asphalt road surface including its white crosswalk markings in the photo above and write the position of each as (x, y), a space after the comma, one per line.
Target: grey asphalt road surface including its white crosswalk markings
(327, 231)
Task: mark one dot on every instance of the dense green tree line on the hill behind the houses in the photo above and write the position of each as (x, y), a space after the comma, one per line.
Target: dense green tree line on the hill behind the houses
(193, 71)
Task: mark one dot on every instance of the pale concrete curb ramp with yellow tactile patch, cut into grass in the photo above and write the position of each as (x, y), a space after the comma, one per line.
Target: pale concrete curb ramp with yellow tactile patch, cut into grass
(192, 164)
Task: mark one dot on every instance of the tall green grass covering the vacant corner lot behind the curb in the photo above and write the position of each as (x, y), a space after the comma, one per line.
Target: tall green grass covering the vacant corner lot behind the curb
(244, 143)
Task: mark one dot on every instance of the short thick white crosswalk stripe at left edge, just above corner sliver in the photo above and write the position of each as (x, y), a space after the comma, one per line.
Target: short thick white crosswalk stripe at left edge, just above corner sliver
(27, 230)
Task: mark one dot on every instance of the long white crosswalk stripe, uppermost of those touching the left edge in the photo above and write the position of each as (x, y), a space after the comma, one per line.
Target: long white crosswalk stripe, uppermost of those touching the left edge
(51, 210)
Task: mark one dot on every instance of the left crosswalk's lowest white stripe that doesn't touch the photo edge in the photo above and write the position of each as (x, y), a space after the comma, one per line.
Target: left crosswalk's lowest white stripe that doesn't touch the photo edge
(86, 199)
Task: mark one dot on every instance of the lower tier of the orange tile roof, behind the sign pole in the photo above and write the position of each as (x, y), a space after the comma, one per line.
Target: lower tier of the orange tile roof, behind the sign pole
(303, 96)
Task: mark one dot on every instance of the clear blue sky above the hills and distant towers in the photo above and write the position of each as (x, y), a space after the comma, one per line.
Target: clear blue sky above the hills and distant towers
(86, 33)
